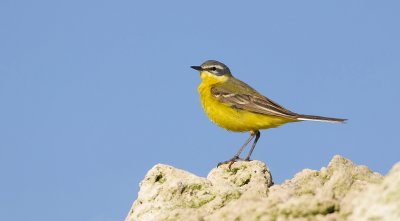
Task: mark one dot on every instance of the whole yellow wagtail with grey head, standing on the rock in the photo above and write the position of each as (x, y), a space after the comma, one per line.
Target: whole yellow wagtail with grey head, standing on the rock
(235, 106)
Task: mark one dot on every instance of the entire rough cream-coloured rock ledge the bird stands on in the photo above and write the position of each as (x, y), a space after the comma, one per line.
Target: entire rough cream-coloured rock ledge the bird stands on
(341, 191)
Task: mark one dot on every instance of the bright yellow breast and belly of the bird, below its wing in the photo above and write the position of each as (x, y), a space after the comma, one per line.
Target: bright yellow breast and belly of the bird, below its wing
(235, 119)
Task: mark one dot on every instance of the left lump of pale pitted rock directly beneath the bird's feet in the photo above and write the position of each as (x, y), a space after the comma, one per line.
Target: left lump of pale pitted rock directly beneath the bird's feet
(168, 193)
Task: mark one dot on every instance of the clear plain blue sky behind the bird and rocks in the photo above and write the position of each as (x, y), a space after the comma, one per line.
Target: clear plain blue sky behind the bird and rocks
(94, 93)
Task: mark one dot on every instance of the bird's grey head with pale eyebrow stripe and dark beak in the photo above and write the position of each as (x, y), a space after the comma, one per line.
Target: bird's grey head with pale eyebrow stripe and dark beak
(212, 68)
